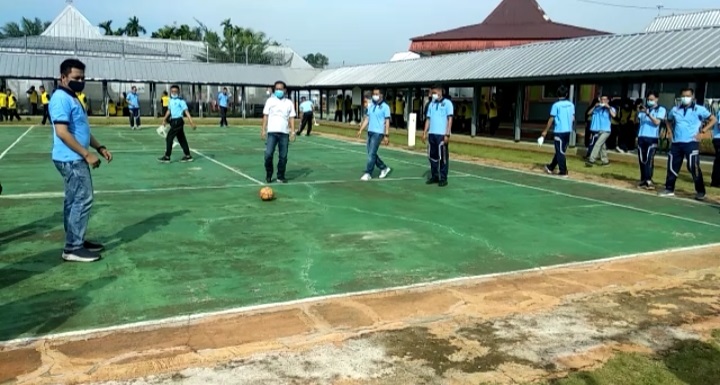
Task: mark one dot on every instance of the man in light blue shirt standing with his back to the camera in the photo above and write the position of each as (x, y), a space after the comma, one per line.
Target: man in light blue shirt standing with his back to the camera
(562, 118)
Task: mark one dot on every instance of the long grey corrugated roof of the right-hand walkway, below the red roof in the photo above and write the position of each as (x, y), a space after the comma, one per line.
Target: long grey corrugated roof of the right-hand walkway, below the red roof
(591, 56)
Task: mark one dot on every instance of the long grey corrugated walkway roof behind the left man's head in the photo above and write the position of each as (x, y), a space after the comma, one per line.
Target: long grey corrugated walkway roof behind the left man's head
(25, 66)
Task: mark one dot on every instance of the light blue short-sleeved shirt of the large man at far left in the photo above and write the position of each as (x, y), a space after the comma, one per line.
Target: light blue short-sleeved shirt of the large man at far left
(65, 108)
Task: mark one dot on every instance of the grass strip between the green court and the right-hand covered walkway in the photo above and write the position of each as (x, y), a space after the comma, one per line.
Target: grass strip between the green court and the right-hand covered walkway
(625, 172)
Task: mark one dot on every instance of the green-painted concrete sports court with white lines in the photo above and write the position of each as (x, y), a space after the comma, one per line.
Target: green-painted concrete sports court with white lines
(190, 238)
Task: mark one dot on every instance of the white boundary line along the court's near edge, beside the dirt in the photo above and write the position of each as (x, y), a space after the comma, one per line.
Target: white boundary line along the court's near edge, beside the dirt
(185, 320)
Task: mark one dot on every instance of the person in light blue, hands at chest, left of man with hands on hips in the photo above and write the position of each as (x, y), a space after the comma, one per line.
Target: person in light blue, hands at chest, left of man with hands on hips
(649, 117)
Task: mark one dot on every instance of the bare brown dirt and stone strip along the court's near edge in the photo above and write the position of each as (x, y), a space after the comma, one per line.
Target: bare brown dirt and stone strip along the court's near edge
(505, 330)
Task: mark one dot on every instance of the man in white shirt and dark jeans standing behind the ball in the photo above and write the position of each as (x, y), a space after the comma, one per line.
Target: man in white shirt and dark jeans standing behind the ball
(278, 129)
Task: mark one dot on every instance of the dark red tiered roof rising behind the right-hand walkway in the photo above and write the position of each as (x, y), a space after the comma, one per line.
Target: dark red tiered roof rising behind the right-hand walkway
(514, 20)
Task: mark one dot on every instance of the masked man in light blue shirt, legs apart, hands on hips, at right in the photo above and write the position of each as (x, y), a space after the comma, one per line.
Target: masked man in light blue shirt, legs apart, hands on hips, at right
(686, 124)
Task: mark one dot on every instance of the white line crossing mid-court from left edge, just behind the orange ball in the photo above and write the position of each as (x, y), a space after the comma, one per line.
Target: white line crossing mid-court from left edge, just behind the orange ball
(60, 194)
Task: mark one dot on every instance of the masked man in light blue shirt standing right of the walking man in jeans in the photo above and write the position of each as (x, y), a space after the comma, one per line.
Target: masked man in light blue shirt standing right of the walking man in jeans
(438, 127)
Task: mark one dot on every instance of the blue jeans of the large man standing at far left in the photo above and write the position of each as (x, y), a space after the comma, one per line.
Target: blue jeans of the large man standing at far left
(78, 201)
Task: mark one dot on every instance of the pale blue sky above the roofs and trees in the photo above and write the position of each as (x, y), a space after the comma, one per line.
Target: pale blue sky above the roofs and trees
(350, 32)
